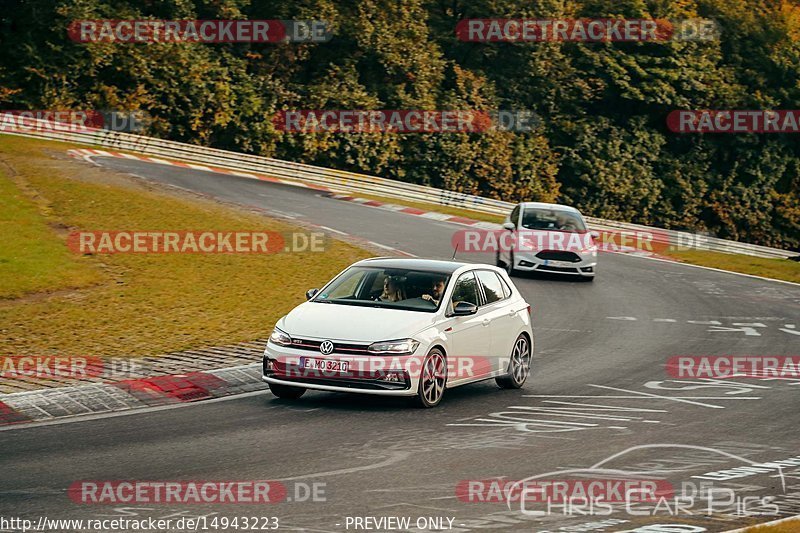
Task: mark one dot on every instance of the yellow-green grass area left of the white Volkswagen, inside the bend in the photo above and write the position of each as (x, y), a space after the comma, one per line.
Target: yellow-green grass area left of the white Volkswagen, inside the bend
(134, 304)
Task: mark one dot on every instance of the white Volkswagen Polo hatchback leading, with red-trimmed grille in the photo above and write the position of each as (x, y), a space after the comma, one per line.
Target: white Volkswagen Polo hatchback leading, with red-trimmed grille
(403, 327)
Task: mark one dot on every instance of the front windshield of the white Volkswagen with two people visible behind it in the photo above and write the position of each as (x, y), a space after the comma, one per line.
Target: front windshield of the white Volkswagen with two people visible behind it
(390, 288)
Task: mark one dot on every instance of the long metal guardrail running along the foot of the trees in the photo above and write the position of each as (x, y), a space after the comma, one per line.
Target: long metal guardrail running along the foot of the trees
(350, 182)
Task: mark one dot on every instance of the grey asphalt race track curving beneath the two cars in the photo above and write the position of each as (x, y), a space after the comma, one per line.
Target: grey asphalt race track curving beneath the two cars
(599, 388)
